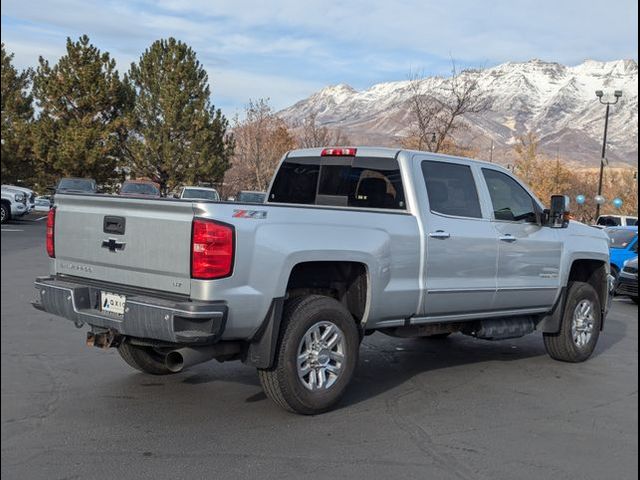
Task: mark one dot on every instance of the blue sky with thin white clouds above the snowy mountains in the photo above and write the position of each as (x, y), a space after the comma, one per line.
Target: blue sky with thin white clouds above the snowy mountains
(286, 50)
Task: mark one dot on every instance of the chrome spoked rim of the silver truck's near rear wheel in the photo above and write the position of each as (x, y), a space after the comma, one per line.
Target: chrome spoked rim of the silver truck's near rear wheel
(321, 356)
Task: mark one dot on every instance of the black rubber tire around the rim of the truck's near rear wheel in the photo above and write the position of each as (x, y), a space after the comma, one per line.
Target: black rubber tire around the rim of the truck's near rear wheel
(281, 382)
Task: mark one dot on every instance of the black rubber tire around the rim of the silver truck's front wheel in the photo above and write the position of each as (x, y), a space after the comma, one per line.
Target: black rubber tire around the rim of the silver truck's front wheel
(561, 346)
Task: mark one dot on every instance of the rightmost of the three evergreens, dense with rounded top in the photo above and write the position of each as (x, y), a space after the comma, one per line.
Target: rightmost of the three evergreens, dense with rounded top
(179, 136)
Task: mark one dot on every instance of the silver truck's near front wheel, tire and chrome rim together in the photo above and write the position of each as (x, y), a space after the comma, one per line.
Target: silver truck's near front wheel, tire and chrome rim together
(580, 328)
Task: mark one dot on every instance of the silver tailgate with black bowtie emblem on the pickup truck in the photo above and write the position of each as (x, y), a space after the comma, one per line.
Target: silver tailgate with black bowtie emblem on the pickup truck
(130, 241)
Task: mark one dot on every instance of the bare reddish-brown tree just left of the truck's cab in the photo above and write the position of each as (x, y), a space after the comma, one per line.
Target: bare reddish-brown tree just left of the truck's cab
(261, 140)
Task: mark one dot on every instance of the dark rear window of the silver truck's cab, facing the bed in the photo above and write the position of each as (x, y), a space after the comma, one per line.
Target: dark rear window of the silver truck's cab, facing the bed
(345, 182)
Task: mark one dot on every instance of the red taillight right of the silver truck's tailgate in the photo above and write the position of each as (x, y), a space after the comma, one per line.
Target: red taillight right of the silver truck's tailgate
(212, 245)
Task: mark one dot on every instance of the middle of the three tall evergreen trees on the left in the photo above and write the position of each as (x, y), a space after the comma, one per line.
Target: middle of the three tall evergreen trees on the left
(82, 126)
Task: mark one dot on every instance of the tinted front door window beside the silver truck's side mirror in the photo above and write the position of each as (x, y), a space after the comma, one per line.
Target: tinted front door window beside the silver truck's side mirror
(511, 202)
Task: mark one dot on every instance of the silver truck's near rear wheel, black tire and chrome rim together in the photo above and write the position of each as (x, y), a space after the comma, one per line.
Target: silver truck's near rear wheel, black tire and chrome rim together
(316, 356)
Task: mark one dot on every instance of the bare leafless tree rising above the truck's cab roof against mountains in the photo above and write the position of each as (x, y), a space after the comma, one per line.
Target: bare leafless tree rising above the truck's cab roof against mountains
(438, 113)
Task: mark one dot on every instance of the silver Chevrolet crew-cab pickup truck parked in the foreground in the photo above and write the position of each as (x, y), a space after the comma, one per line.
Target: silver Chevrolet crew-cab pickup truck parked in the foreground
(348, 242)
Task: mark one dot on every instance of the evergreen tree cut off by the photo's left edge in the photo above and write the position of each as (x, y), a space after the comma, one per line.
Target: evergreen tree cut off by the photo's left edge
(17, 113)
